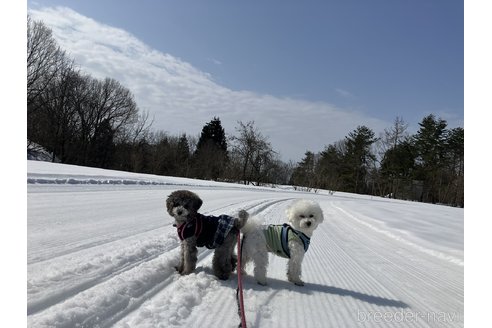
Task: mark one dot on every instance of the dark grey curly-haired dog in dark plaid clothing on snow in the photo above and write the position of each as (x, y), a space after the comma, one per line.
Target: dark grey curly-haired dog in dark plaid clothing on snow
(197, 230)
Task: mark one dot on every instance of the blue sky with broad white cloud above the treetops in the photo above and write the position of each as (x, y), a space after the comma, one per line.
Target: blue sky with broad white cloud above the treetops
(324, 66)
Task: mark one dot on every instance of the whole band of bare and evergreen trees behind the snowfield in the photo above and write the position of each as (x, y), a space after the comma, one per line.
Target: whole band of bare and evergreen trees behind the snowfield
(96, 122)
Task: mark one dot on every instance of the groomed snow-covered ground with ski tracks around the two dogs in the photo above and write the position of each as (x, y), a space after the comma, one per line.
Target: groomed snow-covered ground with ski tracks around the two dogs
(101, 250)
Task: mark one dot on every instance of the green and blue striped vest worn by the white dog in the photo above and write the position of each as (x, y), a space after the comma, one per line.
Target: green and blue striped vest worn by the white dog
(277, 238)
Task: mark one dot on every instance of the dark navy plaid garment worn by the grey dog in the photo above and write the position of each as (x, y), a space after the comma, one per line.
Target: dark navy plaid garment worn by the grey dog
(210, 231)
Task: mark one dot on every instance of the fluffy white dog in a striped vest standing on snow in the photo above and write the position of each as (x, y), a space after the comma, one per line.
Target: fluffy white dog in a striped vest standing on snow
(287, 240)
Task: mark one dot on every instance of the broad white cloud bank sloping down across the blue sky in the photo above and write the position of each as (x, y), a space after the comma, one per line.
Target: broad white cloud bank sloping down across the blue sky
(183, 98)
